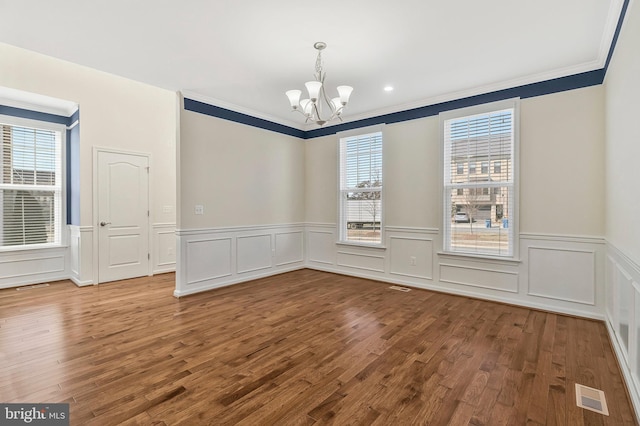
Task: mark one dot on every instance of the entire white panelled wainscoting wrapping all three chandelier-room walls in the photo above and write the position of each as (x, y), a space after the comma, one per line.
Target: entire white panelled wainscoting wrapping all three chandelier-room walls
(564, 274)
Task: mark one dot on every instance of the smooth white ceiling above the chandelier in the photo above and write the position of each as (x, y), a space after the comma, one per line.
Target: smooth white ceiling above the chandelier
(243, 55)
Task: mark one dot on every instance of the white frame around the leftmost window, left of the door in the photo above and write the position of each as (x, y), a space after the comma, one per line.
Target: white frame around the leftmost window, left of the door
(60, 239)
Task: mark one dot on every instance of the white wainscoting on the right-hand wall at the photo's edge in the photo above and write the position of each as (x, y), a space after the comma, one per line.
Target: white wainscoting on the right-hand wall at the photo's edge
(623, 317)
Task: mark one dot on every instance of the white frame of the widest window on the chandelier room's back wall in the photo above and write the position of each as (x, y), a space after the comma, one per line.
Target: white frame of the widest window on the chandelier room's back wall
(514, 219)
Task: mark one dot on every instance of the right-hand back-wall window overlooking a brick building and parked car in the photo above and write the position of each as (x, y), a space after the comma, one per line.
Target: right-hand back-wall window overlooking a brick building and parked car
(485, 134)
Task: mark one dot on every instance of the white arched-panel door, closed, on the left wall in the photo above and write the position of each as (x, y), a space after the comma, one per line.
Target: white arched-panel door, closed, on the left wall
(123, 216)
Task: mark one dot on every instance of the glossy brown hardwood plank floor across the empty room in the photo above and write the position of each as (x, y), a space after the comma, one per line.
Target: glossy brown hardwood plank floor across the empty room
(305, 347)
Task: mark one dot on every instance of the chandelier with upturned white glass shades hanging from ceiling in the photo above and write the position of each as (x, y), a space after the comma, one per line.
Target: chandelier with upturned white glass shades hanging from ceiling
(312, 108)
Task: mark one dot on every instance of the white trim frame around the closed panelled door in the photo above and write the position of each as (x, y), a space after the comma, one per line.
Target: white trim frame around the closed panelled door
(95, 218)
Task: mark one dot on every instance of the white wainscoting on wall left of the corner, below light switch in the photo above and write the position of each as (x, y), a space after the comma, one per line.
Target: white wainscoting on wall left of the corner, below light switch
(211, 258)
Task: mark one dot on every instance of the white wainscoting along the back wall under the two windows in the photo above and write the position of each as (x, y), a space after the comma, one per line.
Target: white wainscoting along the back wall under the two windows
(559, 273)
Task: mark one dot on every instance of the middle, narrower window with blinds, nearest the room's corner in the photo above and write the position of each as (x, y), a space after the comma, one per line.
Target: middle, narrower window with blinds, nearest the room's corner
(361, 189)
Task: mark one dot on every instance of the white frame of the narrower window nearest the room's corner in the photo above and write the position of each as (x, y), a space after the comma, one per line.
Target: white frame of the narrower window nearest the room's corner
(342, 219)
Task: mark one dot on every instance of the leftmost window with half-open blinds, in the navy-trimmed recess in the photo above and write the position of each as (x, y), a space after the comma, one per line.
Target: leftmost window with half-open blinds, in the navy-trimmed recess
(31, 185)
